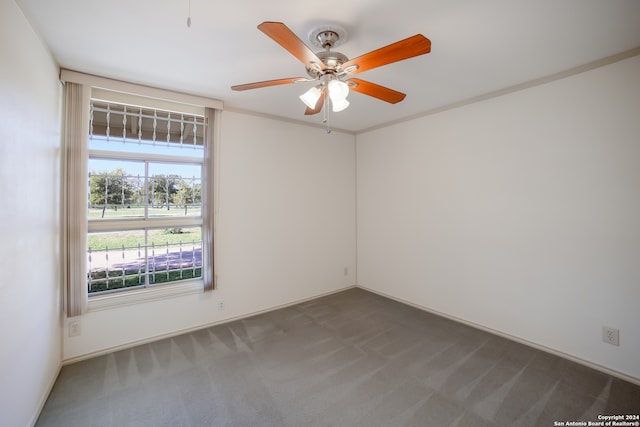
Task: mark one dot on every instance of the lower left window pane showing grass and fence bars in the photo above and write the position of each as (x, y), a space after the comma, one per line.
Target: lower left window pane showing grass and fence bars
(116, 260)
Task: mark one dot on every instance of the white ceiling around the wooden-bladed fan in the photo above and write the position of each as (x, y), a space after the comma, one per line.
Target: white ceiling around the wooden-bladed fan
(478, 46)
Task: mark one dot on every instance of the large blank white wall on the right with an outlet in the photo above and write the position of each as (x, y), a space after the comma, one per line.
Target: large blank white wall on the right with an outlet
(520, 213)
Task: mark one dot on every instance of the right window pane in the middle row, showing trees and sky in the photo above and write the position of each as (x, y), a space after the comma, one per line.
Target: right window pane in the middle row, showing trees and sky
(175, 190)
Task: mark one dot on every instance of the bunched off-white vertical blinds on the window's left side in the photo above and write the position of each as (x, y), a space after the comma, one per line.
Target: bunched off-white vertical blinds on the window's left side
(76, 133)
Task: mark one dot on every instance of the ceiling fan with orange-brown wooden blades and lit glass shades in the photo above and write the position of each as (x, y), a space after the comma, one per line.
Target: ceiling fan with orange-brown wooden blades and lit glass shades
(333, 69)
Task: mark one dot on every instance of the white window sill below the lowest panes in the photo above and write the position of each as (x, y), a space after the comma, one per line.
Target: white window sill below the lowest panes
(140, 296)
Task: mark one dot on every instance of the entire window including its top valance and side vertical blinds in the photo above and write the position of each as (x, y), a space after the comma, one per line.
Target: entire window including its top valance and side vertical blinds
(138, 193)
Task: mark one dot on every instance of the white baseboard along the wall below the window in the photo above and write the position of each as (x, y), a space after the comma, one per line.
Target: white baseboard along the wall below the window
(193, 328)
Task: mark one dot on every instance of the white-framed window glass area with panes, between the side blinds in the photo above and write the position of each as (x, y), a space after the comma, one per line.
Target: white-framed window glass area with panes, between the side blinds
(144, 206)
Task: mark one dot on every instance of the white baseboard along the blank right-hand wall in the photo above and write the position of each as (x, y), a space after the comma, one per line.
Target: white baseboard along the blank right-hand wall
(541, 347)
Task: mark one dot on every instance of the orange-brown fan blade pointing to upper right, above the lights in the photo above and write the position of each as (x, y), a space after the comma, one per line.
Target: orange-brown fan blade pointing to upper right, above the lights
(404, 49)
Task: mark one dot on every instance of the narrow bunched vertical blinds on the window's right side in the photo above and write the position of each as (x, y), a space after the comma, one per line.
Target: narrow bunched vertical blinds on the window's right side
(209, 214)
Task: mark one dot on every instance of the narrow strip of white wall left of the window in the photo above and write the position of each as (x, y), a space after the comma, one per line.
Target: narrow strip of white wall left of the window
(30, 322)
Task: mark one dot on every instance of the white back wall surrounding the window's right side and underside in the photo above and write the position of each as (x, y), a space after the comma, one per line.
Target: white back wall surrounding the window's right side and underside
(286, 232)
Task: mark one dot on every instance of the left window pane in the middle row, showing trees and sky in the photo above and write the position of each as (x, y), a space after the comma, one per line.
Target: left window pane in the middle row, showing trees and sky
(116, 189)
